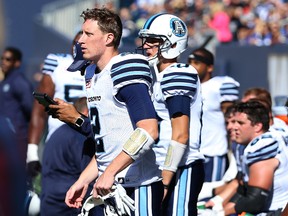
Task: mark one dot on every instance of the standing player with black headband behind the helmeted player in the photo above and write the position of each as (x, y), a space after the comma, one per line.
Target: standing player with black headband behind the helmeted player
(218, 93)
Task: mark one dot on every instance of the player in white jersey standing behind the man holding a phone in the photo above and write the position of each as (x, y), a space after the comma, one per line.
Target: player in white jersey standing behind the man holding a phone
(56, 82)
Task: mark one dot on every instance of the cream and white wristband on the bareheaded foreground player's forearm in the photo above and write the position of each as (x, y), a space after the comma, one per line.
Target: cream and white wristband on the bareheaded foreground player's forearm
(138, 143)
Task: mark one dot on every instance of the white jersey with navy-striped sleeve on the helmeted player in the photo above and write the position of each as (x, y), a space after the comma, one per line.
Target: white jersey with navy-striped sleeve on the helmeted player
(178, 79)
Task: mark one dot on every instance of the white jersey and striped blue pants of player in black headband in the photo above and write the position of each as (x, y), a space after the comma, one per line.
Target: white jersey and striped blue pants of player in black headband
(214, 143)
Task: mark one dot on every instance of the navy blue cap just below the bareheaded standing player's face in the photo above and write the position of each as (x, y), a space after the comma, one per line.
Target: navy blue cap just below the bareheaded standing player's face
(79, 62)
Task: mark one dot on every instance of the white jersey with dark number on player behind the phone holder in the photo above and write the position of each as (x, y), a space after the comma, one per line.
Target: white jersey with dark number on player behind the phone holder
(68, 85)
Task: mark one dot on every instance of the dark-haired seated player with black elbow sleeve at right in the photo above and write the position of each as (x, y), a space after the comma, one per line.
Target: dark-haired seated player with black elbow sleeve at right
(263, 186)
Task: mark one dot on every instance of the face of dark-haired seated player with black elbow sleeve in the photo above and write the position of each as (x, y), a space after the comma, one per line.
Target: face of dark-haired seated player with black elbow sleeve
(244, 131)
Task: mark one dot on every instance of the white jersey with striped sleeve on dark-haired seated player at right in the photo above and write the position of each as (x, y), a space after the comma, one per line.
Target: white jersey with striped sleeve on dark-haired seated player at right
(266, 146)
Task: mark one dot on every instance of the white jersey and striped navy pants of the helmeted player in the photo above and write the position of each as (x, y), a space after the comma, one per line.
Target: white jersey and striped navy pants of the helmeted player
(180, 80)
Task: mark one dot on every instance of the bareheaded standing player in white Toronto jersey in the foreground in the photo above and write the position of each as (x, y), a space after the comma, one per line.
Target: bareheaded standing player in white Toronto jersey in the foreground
(122, 117)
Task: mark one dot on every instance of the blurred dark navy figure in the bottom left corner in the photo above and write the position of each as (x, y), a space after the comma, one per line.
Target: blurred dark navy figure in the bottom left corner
(12, 172)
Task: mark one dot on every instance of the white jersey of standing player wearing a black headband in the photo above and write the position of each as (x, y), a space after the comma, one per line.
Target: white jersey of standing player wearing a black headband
(214, 134)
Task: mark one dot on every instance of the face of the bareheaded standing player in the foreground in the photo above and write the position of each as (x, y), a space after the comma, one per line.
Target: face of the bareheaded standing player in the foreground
(93, 41)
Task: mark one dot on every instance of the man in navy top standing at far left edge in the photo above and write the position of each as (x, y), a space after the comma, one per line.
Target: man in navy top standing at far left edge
(16, 96)
